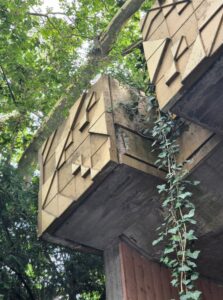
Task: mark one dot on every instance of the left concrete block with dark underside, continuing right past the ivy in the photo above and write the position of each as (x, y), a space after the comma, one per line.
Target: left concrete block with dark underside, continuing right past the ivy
(88, 211)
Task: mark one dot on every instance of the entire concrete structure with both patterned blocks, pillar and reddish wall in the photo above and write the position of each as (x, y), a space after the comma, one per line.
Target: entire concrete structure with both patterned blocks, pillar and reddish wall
(98, 177)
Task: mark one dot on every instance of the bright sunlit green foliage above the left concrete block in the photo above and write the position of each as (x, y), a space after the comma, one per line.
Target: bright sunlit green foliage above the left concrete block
(43, 54)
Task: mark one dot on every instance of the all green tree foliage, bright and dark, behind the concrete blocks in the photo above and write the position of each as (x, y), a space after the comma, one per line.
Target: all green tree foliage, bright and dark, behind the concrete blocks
(42, 56)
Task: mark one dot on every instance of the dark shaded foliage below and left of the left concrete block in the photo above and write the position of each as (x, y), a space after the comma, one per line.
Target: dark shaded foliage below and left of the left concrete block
(31, 268)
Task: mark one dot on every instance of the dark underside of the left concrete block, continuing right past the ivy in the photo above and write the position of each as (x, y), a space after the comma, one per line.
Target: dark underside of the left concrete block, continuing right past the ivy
(126, 204)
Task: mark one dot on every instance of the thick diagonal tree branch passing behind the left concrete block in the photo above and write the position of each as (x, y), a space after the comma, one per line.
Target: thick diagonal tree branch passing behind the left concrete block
(96, 58)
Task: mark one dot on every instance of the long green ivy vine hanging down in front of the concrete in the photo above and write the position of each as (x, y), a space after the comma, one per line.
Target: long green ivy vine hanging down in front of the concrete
(176, 231)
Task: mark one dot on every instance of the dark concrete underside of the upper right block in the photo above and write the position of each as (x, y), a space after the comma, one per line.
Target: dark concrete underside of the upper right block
(203, 102)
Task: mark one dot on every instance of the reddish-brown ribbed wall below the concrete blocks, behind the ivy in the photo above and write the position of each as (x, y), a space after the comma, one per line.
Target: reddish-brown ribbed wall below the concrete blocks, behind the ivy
(146, 280)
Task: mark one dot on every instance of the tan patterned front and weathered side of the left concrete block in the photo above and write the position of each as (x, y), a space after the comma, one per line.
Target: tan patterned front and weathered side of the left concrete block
(97, 136)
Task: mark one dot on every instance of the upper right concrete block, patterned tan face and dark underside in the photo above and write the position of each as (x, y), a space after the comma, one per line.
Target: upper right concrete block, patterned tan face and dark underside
(183, 46)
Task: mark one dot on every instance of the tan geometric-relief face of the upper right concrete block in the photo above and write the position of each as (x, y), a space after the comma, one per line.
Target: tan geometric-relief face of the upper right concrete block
(194, 30)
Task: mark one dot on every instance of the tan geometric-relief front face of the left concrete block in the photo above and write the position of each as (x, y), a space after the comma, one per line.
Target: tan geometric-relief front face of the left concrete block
(73, 156)
